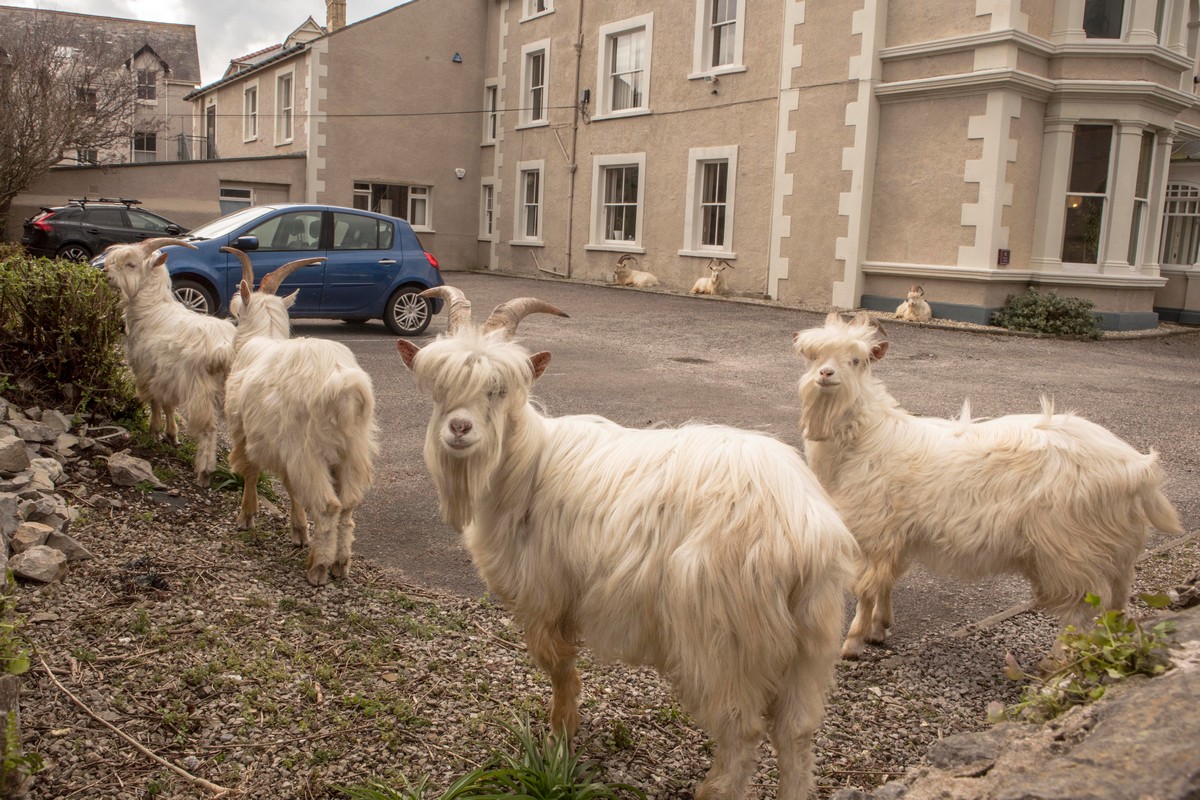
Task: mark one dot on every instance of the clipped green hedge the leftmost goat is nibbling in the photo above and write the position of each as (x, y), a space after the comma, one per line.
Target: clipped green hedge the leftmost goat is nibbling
(61, 333)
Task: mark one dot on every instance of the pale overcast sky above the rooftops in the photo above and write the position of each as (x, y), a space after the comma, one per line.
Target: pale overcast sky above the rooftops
(225, 29)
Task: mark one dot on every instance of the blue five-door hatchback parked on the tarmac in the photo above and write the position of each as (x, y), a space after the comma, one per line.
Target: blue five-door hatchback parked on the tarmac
(375, 267)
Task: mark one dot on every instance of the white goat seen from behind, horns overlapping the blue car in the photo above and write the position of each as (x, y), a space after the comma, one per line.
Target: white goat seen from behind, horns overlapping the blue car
(305, 411)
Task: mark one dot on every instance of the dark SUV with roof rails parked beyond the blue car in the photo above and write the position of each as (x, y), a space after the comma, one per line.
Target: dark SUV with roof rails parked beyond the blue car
(83, 228)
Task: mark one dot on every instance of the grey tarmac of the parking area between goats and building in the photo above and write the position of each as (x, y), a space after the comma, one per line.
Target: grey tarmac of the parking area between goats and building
(657, 359)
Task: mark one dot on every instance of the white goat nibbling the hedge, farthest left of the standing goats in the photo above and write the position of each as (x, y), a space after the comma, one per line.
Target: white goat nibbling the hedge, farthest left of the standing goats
(179, 359)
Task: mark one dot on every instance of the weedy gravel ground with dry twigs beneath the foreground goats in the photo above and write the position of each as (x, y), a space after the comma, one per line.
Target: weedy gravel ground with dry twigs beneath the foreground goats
(207, 647)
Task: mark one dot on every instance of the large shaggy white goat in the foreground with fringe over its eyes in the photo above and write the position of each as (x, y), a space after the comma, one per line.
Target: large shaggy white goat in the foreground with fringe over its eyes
(706, 552)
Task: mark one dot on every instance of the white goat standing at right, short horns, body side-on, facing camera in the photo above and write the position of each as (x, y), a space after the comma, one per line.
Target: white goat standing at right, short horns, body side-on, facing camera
(1052, 497)
